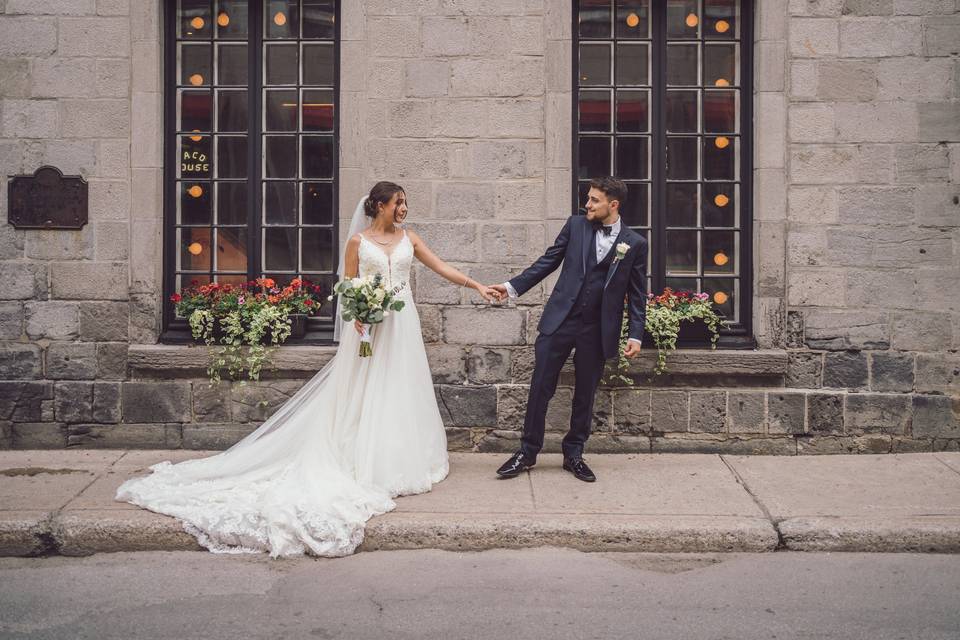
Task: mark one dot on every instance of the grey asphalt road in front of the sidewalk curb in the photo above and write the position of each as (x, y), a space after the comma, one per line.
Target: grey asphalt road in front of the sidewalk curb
(540, 593)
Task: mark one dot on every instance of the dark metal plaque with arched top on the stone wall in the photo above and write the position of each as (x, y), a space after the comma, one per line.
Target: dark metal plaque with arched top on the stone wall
(47, 200)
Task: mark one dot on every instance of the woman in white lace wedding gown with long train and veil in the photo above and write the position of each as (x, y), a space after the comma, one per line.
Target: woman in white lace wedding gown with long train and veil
(359, 433)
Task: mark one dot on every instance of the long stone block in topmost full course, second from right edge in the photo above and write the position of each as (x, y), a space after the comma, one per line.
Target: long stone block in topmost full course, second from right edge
(880, 37)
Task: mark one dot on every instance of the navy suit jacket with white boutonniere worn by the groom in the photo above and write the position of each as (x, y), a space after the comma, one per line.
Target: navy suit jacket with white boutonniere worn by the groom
(626, 278)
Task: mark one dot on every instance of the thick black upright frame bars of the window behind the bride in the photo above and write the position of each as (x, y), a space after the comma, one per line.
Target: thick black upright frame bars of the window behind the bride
(176, 330)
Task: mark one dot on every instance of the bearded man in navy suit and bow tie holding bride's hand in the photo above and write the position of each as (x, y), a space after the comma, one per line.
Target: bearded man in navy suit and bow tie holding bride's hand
(604, 262)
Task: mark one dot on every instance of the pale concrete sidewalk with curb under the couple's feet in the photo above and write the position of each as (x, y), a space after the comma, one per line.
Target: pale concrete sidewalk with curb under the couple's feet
(61, 502)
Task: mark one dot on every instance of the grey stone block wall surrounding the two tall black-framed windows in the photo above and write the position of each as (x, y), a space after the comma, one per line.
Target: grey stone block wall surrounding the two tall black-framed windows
(467, 104)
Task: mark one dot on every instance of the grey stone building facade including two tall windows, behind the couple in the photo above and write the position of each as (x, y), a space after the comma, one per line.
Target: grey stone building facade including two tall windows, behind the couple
(798, 160)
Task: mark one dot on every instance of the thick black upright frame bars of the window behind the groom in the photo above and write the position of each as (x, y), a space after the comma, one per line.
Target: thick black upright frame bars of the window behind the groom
(734, 336)
